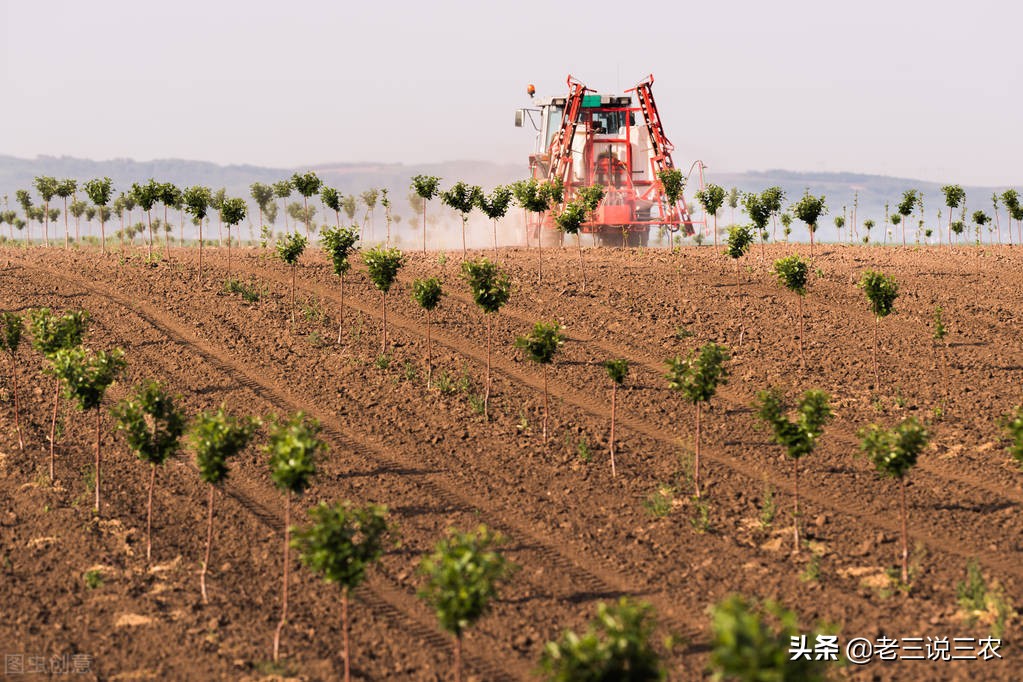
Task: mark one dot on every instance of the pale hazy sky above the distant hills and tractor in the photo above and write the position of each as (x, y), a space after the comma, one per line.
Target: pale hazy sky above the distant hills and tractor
(931, 90)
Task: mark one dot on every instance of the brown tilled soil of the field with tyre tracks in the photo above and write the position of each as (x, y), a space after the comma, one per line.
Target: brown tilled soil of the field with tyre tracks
(261, 337)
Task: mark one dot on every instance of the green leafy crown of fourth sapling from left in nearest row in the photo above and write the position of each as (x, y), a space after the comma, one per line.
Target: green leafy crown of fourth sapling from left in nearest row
(152, 423)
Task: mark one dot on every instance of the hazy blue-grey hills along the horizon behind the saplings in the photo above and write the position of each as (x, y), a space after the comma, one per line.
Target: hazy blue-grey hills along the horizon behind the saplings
(840, 190)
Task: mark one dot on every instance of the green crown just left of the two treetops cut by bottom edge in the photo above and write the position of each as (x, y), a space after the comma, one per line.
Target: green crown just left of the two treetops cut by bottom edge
(463, 577)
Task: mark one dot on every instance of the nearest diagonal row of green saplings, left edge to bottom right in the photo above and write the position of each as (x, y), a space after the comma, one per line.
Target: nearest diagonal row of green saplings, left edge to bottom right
(342, 541)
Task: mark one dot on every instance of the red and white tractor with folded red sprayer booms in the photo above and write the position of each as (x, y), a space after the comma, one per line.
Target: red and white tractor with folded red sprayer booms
(618, 142)
